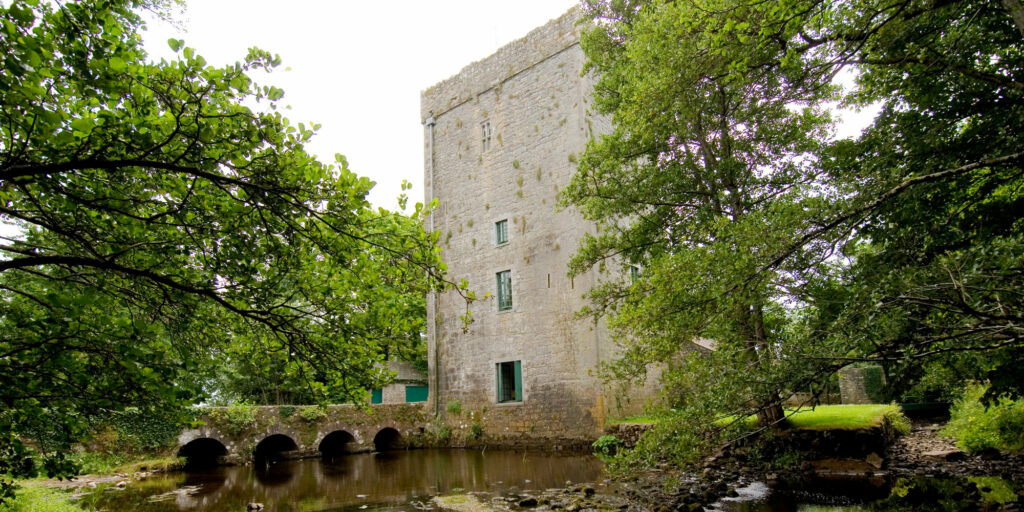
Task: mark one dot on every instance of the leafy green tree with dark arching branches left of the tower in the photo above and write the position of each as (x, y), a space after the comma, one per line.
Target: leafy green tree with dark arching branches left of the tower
(164, 219)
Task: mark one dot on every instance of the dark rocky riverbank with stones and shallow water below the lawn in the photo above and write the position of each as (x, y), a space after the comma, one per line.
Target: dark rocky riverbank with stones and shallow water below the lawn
(919, 462)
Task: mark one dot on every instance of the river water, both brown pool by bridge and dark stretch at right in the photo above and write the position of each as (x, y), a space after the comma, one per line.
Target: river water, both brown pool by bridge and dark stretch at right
(406, 481)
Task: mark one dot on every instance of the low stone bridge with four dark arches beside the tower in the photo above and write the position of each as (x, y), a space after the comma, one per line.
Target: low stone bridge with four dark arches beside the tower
(243, 435)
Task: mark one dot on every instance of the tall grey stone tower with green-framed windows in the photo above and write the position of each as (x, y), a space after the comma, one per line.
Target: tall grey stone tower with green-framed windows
(501, 140)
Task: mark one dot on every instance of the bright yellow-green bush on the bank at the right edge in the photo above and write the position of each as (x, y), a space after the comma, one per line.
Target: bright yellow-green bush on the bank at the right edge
(976, 428)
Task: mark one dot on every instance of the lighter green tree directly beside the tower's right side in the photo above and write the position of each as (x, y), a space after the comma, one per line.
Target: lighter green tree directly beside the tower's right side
(706, 150)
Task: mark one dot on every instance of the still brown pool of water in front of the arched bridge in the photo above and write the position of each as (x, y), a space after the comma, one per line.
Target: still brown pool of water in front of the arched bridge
(393, 479)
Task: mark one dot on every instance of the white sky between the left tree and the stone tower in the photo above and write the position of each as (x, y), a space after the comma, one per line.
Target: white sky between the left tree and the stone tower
(358, 67)
